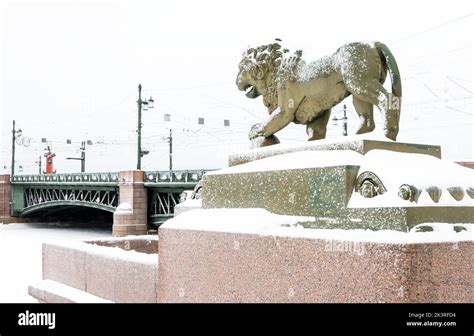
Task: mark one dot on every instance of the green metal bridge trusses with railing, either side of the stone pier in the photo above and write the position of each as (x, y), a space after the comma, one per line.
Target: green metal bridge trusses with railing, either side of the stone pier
(31, 193)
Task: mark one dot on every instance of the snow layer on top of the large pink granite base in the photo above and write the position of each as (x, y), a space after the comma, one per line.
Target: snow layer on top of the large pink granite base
(264, 223)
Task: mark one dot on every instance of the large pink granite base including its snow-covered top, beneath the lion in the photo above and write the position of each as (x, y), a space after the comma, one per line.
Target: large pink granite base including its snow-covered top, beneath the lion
(251, 255)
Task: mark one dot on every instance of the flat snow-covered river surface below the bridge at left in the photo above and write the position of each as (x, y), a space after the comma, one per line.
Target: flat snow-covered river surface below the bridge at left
(20, 253)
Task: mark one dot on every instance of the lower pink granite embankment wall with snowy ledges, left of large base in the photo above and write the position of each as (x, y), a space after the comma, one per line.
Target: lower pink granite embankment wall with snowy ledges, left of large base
(103, 270)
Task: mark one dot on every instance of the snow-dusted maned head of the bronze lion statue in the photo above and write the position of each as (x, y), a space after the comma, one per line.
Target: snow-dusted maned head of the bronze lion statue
(261, 71)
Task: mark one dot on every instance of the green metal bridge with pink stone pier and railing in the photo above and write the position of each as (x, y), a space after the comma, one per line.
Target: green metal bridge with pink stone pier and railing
(157, 192)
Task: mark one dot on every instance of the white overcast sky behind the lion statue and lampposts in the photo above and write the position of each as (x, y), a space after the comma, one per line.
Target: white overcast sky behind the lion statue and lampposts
(70, 70)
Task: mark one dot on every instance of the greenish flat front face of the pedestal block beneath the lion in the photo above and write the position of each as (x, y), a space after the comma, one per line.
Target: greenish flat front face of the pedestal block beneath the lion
(300, 192)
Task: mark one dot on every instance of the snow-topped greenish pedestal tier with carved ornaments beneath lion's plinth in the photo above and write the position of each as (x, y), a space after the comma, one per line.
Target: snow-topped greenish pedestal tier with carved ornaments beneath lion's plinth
(327, 185)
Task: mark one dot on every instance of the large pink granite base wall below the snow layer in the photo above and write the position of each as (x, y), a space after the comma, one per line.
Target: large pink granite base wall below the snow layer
(206, 266)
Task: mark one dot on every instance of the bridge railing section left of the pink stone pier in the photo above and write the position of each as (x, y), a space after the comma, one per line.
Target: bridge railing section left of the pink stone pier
(99, 178)
